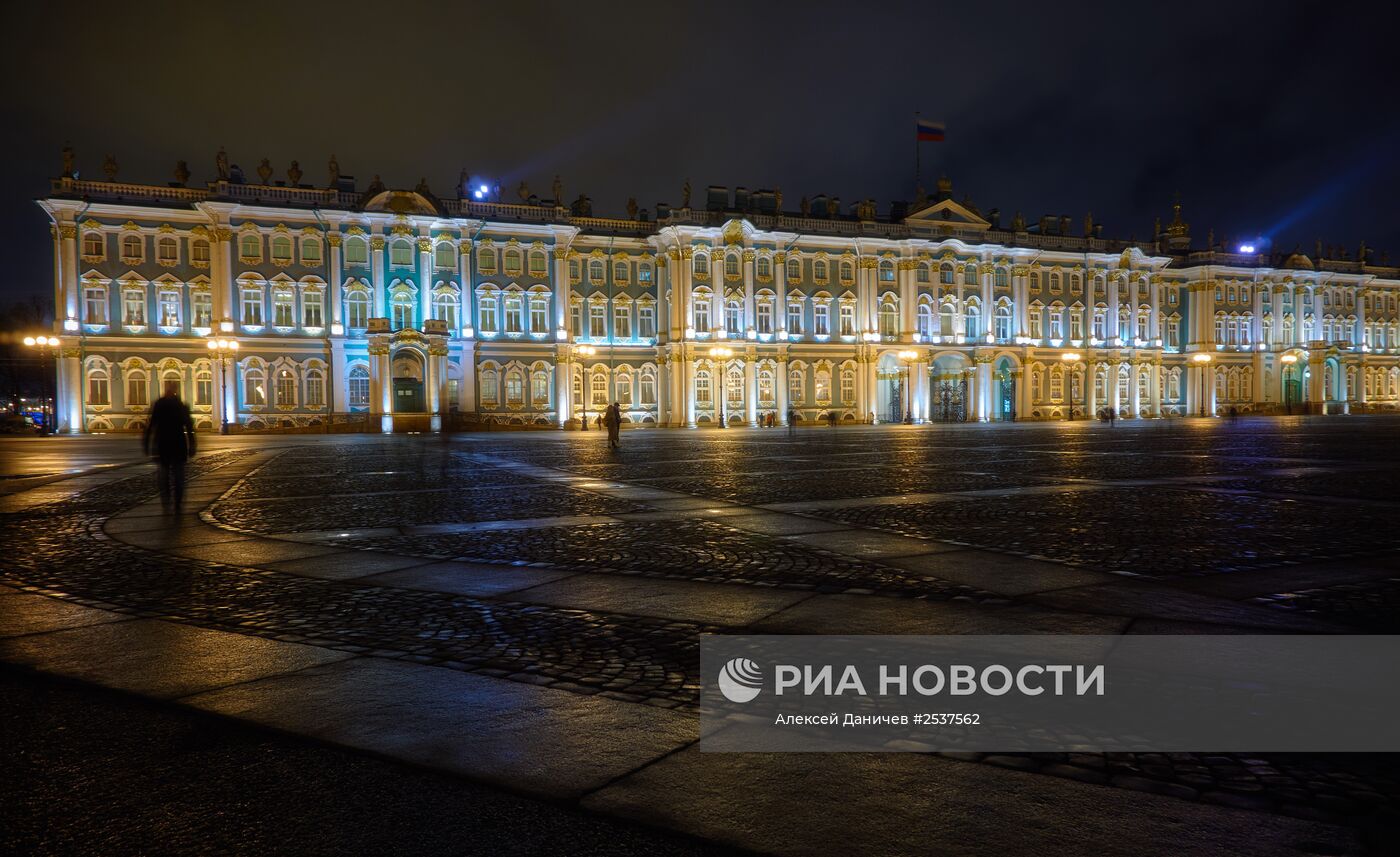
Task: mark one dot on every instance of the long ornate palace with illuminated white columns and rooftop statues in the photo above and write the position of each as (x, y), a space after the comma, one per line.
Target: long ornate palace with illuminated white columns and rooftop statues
(402, 310)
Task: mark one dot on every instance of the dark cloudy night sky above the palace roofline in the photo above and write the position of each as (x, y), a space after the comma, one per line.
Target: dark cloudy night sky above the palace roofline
(1269, 118)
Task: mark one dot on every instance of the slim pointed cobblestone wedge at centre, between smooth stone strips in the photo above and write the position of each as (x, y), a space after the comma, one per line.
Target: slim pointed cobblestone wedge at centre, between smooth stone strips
(699, 551)
